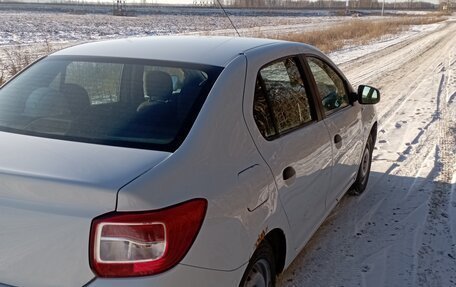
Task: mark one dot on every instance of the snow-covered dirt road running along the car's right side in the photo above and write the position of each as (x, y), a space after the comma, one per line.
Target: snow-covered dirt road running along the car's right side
(402, 230)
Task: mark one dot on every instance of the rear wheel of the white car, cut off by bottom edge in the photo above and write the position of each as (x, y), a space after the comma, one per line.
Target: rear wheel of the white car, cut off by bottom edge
(261, 270)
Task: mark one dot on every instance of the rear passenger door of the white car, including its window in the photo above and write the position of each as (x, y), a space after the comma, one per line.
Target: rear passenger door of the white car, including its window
(295, 144)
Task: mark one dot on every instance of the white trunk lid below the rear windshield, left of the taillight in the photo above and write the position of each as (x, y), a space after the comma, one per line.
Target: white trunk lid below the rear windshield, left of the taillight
(50, 190)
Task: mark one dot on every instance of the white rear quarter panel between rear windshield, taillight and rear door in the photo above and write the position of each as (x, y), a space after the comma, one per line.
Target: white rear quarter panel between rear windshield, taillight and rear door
(210, 164)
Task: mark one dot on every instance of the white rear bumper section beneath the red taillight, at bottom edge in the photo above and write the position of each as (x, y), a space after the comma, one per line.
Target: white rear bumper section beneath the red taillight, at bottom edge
(181, 275)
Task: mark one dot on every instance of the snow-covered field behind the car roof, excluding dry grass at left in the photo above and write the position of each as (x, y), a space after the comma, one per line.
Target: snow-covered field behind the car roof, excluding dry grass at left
(22, 26)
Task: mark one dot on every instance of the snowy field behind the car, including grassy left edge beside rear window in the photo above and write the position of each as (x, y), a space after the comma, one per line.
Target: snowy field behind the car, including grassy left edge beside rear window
(38, 29)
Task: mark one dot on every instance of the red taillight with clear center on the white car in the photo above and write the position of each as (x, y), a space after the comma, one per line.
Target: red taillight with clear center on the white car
(125, 244)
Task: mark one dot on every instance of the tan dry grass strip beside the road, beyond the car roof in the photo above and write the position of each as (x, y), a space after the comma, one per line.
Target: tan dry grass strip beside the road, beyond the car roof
(357, 32)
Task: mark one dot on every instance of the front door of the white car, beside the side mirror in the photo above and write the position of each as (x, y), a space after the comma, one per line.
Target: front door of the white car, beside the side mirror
(343, 121)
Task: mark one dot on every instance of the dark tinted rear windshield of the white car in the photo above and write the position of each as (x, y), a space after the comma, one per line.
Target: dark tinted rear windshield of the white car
(121, 102)
